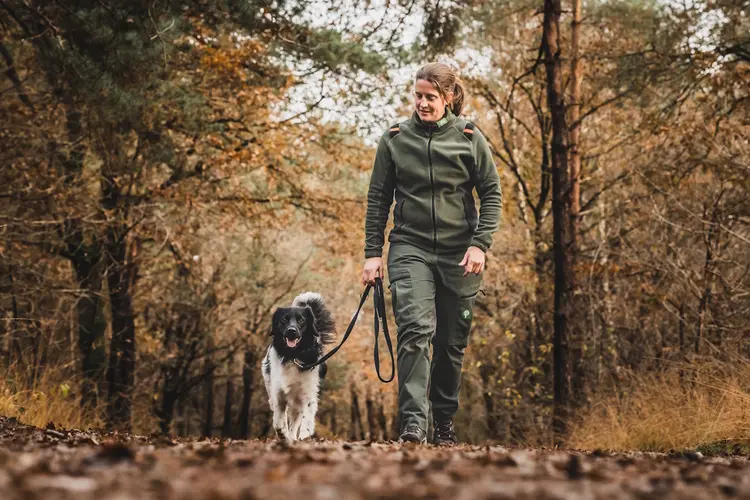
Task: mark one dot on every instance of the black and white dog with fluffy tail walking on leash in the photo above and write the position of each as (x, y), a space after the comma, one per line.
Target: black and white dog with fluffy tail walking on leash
(299, 333)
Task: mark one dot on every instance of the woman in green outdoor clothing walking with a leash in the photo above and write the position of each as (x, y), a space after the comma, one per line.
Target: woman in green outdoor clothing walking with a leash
(432, 163)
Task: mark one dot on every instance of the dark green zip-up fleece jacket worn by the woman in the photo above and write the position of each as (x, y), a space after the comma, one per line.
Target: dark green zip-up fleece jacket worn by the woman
(433, 168)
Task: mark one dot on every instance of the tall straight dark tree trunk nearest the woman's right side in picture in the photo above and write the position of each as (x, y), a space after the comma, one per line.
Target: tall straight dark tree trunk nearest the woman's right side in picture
(560, 214)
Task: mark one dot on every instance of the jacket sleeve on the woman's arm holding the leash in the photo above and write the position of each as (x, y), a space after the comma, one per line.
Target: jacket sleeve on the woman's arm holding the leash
(379, 198)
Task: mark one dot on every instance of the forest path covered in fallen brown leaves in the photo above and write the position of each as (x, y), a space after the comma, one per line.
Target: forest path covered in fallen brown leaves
(54, 463)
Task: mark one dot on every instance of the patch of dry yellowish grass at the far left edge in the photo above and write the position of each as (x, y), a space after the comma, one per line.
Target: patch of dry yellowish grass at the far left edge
(49, 397)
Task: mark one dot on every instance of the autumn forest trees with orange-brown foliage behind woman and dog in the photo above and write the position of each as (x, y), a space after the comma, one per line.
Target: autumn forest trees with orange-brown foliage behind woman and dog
(171, 172)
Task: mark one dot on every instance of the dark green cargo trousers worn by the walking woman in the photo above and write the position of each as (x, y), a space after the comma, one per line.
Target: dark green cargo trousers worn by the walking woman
(432, 301)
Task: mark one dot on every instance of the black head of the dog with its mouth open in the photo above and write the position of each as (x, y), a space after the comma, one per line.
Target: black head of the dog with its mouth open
(293, 330)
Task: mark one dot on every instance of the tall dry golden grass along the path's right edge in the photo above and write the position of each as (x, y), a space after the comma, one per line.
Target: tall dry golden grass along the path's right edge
(709, 403)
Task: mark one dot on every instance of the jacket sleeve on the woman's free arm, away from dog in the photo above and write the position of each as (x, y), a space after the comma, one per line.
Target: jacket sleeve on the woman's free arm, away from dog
(489, 191)
